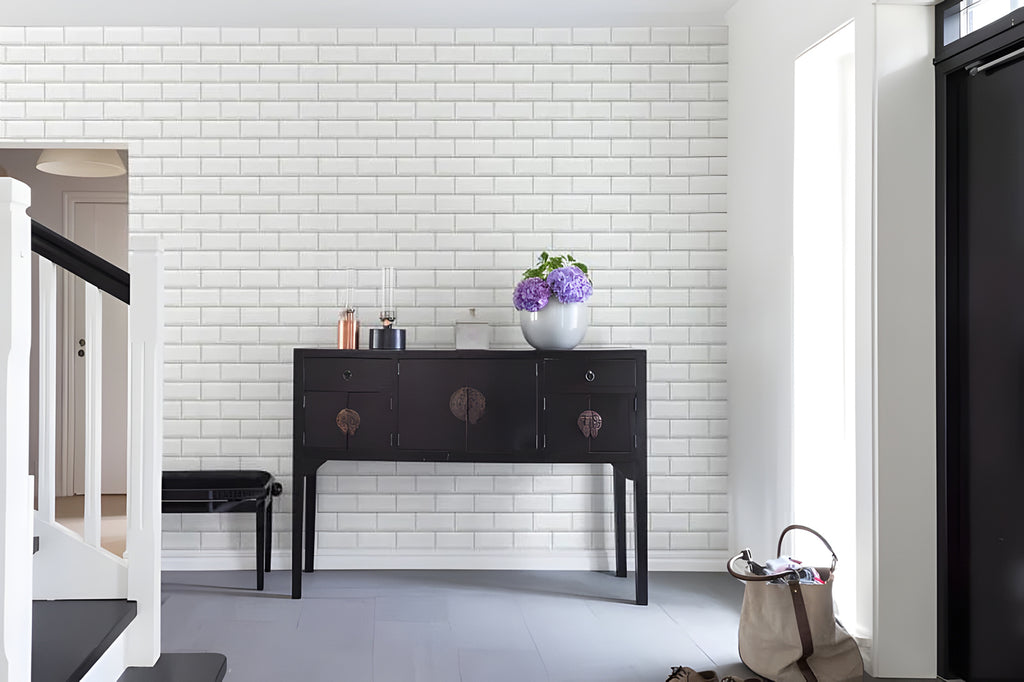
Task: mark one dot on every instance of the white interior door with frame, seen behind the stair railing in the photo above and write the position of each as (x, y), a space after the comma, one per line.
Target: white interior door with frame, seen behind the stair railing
(101, 227)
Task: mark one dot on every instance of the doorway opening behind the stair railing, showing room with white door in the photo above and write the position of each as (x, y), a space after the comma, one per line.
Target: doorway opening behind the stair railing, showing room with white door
(94, 214)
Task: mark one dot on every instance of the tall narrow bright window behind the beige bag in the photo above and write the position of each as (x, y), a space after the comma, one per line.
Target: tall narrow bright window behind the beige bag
(824, 466)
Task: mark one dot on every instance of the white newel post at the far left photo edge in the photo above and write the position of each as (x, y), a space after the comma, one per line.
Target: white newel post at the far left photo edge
(16, 503)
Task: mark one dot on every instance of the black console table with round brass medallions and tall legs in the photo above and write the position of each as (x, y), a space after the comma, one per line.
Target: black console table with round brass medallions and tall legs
(472, 406)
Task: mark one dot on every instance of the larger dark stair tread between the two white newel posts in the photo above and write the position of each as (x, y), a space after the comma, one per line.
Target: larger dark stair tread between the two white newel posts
(69, 636)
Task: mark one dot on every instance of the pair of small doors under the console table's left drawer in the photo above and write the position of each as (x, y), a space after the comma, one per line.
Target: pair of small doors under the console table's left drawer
(349, 421)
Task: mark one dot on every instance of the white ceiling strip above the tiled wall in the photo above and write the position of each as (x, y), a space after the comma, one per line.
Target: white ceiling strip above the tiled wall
(367, 13)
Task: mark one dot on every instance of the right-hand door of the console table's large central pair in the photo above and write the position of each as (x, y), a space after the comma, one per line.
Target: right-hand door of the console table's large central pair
(508, 420)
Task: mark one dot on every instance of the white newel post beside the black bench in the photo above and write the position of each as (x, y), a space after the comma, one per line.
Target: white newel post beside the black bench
(146, 265)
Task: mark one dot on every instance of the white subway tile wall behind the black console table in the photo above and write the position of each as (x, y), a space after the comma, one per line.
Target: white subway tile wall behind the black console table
(273, 160)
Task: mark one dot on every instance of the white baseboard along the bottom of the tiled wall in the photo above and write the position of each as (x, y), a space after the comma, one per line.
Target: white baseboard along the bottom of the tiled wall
(713, 562)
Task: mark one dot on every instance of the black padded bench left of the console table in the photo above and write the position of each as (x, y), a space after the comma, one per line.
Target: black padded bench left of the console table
(224, 491)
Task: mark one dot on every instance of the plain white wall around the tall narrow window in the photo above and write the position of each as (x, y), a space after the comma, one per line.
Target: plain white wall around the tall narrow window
(895, 305)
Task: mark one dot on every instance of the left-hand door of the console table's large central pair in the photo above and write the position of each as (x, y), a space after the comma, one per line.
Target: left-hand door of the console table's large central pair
(425, 388)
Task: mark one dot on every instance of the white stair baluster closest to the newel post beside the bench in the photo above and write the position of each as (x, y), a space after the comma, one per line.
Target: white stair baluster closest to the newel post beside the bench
(94, 413)
